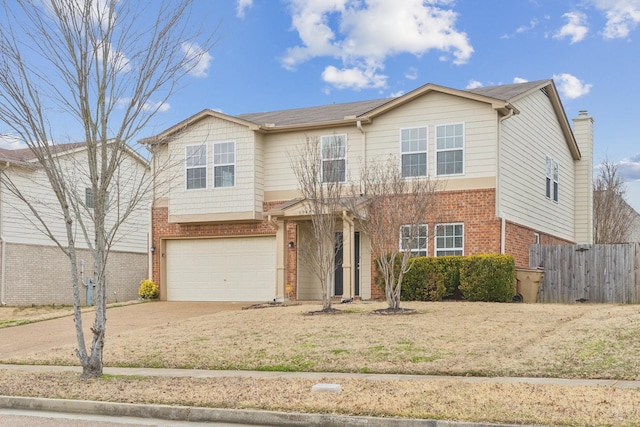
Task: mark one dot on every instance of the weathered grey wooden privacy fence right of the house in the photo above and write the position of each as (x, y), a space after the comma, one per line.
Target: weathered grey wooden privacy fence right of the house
(588, 273)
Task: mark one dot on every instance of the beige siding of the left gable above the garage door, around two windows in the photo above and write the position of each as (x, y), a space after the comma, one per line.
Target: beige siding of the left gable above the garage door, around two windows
(242, 197)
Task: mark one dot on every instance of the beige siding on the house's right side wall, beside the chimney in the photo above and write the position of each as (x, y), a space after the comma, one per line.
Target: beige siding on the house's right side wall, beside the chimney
(523, 155)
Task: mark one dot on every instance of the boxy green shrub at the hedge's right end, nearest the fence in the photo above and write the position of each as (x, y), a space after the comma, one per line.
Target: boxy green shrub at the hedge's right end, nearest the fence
(488, 278)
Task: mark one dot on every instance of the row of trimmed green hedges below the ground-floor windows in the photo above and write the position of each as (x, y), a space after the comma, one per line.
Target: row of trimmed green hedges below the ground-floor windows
(477, 278)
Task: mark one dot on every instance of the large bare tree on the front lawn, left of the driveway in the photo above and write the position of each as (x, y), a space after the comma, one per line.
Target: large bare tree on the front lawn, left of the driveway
(99, 64)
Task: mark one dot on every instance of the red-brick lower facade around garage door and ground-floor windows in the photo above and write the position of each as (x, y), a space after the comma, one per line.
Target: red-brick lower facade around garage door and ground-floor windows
(473, 208)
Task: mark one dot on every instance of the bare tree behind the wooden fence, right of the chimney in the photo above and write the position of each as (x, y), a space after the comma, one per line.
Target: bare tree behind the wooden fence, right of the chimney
(612, 215)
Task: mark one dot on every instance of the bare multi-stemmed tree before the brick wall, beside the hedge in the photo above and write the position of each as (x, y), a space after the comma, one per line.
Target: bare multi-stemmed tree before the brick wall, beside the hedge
(393, 211)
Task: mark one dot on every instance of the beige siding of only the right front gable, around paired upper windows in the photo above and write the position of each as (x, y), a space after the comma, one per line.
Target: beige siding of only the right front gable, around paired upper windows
(433, 109)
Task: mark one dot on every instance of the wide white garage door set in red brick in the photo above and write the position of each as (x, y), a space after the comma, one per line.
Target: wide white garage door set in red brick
(237, 269)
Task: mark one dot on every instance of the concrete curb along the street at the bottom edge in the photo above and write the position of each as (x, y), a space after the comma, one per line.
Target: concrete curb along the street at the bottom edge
(238, 416)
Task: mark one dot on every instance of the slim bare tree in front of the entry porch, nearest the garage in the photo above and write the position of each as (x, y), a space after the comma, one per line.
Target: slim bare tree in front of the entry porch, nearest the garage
(320, 168)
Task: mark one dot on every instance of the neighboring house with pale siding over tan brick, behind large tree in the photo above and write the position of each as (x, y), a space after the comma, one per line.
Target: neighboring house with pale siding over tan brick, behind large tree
(33, 270)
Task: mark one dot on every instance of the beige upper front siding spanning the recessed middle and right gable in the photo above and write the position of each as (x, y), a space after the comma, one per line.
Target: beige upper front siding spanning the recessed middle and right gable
(383, 138)
